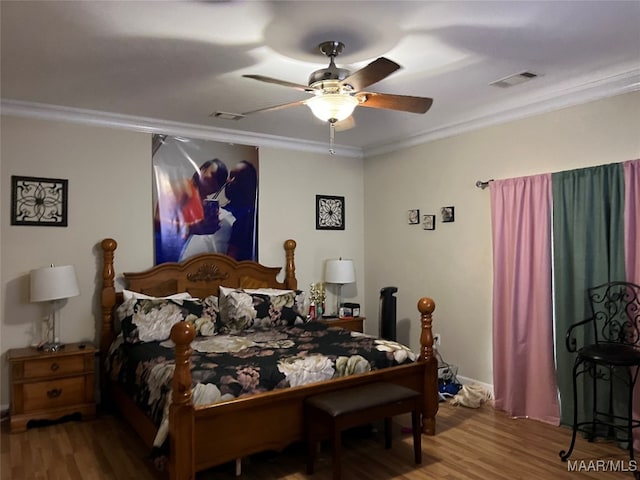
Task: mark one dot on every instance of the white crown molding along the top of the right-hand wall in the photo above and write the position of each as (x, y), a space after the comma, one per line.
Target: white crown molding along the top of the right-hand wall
(612, 85)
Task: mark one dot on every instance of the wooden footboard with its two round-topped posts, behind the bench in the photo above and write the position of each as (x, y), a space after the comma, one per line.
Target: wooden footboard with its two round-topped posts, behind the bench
(205, 436)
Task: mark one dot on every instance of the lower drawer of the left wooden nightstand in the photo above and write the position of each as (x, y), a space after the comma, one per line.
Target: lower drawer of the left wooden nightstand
(53, 394)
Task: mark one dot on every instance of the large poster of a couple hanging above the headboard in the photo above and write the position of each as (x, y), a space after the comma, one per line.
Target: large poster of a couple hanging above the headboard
(205, 199)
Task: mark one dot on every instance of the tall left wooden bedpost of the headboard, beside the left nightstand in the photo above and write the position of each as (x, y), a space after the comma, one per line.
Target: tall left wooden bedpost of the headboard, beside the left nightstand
(108, 301)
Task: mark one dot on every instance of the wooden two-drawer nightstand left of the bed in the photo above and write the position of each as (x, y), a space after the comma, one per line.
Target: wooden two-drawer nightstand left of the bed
(50, 385)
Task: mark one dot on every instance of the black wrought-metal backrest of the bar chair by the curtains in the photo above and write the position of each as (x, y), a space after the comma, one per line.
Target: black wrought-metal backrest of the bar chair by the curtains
(616, 312)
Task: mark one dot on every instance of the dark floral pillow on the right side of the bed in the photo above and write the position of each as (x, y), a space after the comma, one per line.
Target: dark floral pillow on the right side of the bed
(241, 309)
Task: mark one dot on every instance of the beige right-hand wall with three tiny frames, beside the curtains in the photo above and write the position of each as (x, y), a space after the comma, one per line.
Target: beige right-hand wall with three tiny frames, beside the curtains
(453, 264)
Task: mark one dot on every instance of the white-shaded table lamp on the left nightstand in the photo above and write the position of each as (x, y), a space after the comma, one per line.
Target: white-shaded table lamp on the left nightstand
(53, 284)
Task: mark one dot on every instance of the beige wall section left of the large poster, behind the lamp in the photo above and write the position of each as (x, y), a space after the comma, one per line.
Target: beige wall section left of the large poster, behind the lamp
(109, 185)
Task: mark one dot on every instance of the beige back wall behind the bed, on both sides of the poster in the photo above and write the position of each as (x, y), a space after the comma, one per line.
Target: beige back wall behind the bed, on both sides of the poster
(109, 173)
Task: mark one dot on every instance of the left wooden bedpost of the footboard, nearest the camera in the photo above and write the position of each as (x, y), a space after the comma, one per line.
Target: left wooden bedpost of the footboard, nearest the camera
(181, 417)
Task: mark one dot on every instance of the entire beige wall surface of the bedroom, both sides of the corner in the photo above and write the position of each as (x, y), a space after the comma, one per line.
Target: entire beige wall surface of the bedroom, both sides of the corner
(109, 174)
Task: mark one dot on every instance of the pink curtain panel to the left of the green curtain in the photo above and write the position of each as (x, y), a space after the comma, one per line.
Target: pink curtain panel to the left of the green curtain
(523, 361)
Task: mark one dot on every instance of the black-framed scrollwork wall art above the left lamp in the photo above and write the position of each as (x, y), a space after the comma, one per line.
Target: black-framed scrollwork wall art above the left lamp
(39, 201)
